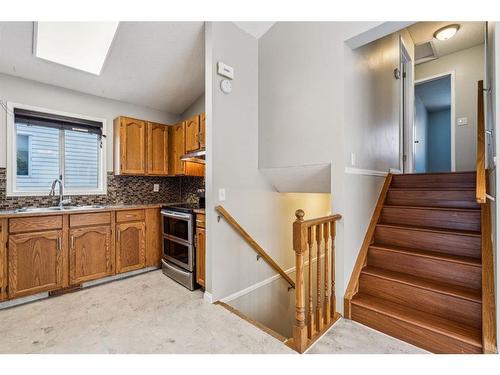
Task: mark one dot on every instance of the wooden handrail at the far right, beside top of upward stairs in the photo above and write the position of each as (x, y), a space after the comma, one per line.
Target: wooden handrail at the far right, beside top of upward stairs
(481, 148)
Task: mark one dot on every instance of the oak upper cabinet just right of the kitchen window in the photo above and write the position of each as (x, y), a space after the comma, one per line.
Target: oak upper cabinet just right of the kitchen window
(140, 147)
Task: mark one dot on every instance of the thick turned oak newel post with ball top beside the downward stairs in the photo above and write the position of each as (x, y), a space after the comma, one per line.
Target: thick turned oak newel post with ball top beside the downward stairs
(299, 246)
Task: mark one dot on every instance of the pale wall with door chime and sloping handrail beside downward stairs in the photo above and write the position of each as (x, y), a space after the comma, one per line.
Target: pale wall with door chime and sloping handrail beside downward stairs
(232, 164)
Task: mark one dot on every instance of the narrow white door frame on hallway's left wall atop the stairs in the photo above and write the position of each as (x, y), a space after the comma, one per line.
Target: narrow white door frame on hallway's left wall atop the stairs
(406, 109)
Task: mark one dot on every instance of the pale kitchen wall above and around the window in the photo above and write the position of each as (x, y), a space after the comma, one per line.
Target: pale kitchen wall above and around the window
(23, 91)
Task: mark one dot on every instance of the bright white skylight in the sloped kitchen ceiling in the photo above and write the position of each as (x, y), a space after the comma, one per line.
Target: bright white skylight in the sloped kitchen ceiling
(79, 45)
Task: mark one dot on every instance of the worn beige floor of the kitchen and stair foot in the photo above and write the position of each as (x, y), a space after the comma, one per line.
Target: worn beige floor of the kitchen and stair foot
(150, 313)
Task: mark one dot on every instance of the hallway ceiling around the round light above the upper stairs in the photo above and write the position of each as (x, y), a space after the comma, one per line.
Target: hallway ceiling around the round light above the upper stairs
(470, 34)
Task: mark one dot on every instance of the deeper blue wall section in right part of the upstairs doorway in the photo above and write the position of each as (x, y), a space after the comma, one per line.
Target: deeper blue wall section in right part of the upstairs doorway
(439, 141)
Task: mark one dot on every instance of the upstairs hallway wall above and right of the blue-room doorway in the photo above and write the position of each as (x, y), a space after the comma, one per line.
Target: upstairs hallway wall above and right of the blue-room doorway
(468, 66)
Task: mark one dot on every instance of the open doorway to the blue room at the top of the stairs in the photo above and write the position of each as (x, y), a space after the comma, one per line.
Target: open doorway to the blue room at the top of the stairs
(434, 148)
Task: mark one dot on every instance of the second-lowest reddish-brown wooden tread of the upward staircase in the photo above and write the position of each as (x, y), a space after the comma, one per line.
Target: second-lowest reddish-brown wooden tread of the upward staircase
(419, 282)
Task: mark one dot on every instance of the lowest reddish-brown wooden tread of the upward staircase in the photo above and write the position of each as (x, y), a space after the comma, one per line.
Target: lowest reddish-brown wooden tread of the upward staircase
(428, 321)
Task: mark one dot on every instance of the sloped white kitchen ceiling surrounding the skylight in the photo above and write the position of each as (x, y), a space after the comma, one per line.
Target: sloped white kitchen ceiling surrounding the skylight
(159, 65)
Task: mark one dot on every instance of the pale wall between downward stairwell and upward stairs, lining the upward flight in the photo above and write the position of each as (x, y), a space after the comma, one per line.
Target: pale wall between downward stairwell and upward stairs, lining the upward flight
(318, 102)
